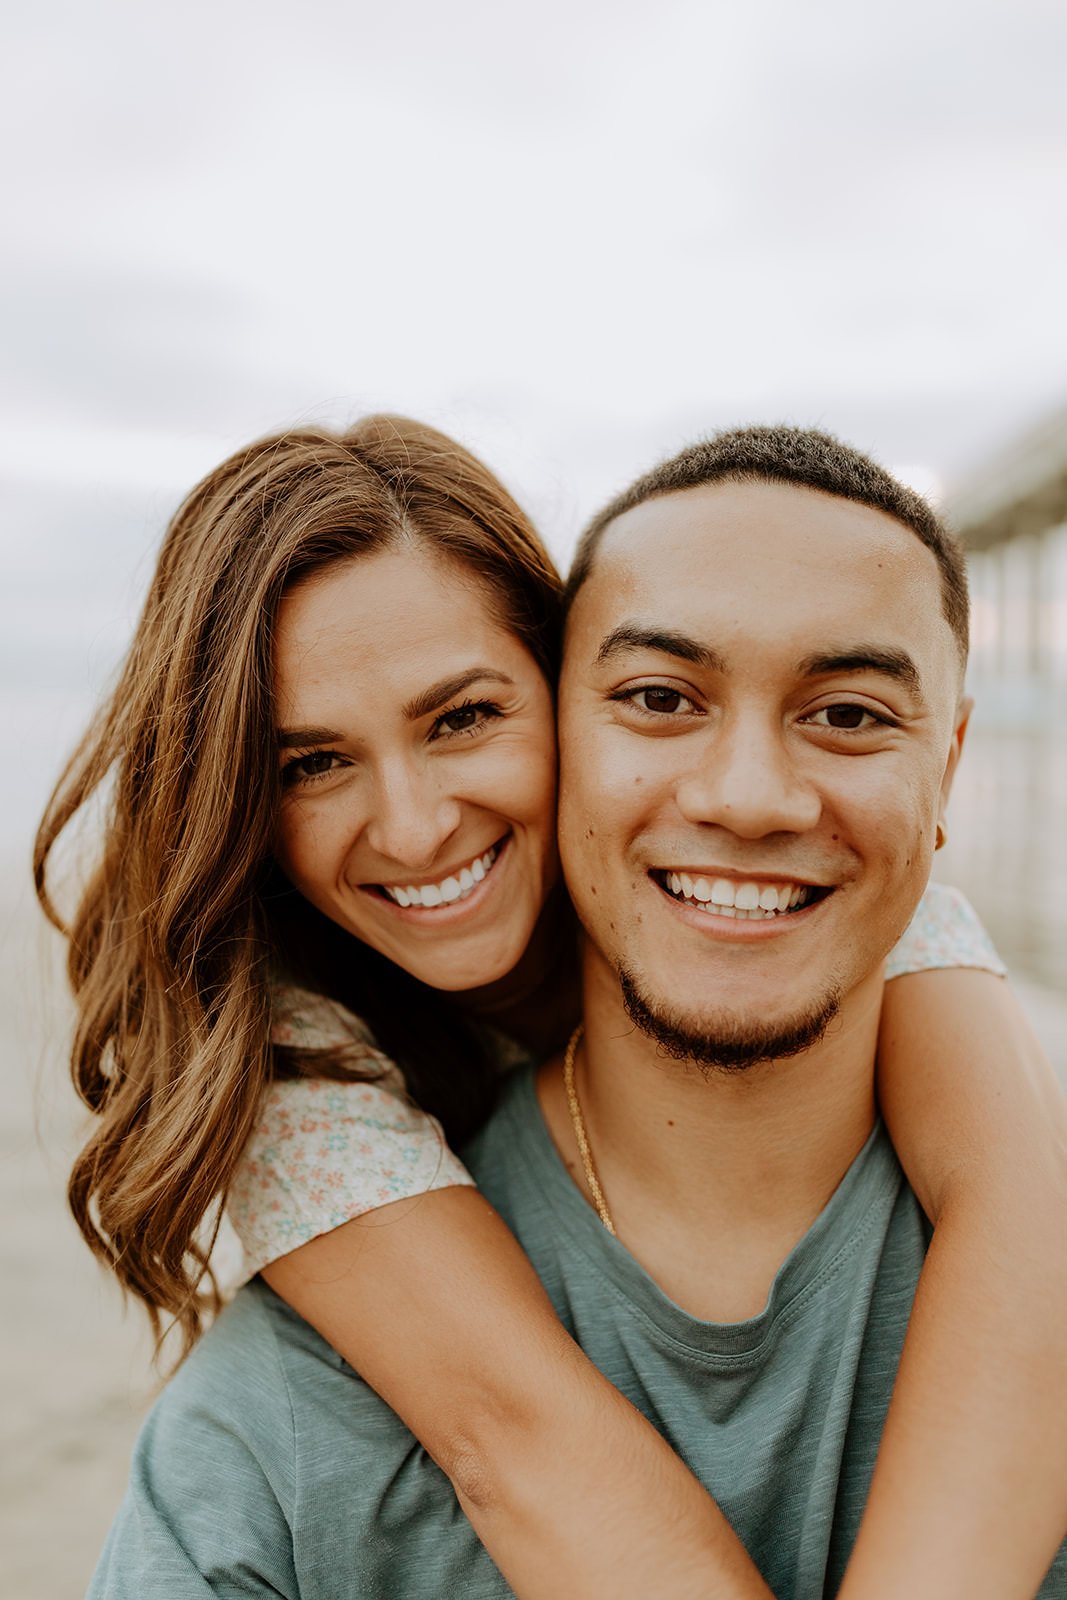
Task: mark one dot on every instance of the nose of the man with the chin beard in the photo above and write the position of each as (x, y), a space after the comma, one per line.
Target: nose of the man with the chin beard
(751, 783)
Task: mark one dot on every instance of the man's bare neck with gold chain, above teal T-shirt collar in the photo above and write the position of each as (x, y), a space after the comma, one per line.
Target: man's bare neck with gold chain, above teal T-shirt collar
(713, 1177)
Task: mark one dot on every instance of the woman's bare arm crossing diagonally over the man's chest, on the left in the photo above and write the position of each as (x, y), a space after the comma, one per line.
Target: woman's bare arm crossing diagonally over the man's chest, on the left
(572, 1490)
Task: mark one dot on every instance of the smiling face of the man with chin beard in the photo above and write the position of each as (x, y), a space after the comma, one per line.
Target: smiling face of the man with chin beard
(759, 722)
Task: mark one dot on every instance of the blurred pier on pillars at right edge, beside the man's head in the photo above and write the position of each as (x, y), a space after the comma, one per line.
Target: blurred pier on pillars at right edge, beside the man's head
(1009, 817)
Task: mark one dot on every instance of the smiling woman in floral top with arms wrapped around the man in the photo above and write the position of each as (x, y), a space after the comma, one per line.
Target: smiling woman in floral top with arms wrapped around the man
(334, 767)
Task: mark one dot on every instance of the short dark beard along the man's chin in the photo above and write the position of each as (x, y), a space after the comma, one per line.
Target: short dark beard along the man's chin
(727, 1039)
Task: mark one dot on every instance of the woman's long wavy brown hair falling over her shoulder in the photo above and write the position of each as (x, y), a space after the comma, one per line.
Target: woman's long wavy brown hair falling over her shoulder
(185, 919)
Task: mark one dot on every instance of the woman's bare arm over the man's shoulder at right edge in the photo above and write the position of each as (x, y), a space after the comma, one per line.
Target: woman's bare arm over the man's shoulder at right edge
(970, 1489)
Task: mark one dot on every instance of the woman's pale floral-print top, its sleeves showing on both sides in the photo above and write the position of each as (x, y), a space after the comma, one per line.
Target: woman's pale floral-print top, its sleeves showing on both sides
(324, 1153)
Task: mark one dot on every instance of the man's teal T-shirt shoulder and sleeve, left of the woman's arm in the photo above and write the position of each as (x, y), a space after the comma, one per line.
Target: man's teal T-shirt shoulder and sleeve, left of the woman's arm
(268, 1455)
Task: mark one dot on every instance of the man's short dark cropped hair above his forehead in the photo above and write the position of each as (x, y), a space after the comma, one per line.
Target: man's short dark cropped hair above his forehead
(810, 460)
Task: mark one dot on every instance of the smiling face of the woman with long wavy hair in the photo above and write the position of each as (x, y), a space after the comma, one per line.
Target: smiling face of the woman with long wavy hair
(417, 740)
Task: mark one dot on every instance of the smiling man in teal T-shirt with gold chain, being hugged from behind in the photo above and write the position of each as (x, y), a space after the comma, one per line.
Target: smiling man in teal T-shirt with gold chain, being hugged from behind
(761, 716)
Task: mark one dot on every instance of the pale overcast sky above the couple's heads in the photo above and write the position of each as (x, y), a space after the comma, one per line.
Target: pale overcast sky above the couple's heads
(577, 234)
